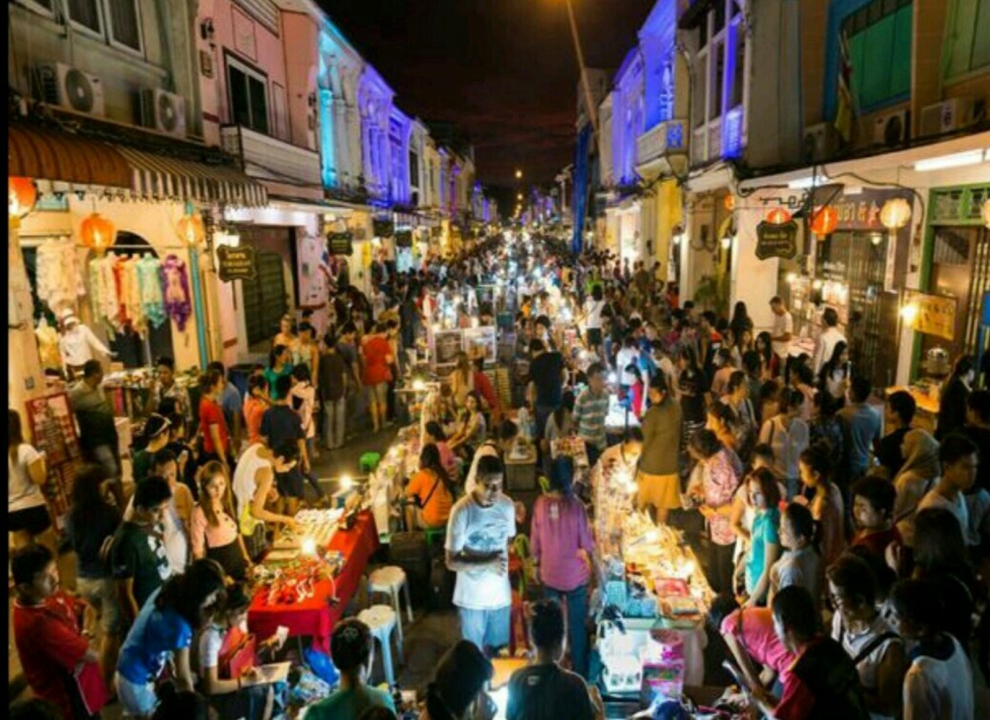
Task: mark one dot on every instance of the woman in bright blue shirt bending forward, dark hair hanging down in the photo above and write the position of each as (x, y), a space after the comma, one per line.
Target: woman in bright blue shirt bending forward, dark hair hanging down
(165, 627)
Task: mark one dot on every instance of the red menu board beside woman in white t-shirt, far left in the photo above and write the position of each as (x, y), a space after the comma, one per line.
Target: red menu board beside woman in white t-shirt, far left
(53, 432)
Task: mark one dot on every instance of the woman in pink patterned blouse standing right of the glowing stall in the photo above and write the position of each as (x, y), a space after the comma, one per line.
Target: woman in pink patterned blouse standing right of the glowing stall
(720, 472)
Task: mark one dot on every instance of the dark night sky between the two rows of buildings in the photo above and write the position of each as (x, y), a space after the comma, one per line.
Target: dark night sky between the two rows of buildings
(503, 70)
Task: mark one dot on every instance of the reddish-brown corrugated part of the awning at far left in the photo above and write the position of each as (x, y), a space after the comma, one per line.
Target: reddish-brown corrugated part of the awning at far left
(62, 157)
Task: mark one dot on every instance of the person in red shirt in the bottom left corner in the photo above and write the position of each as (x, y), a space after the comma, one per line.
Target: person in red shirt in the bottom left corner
(58, 663)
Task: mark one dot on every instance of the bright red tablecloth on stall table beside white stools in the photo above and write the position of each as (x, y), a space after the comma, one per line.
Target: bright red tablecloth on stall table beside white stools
(315, 616)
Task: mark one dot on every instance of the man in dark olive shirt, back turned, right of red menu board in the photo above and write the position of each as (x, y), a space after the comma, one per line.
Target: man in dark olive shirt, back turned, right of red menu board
(97, 429)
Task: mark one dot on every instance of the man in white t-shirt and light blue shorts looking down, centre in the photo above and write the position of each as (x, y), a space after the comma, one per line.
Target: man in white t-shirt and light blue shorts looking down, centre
(478, 533)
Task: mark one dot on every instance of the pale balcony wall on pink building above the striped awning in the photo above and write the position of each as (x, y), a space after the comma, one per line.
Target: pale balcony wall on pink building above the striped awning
(270, 158)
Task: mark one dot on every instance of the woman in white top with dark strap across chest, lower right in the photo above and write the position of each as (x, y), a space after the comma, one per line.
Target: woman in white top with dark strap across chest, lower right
(857, 625)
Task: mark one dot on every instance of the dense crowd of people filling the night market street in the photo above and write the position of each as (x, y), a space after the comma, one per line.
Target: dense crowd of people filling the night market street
(809, 512)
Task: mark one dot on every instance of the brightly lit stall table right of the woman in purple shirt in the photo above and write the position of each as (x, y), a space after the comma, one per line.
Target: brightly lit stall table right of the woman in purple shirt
(654, 592)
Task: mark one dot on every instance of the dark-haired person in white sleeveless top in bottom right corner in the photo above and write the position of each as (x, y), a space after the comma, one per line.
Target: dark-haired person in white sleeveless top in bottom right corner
(939, 681)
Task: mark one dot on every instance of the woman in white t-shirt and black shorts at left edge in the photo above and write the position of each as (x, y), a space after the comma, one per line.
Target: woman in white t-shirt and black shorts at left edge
(27, 513)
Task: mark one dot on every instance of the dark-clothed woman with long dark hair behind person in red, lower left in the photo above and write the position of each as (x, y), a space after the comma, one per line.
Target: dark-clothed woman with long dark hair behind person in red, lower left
(91, 520)
